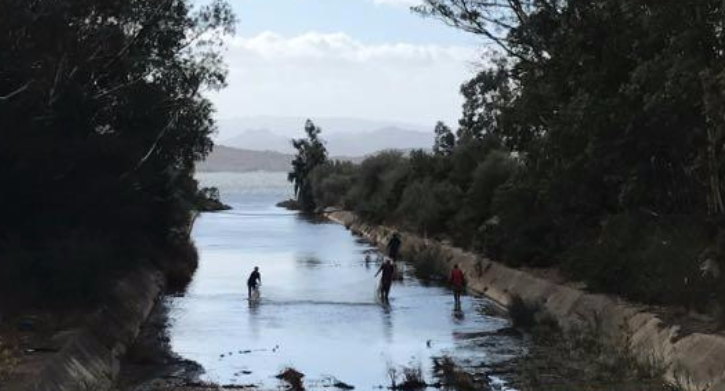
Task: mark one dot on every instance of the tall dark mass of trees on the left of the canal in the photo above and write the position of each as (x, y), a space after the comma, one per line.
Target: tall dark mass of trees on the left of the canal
(101, 121)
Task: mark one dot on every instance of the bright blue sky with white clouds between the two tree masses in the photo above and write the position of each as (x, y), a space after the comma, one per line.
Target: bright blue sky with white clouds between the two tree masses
(371, 59)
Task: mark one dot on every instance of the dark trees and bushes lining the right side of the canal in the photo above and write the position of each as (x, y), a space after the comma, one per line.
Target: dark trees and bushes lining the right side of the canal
(593, 141)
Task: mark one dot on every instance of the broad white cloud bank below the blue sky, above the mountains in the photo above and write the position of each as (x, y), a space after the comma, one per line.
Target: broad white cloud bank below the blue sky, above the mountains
(320, 75)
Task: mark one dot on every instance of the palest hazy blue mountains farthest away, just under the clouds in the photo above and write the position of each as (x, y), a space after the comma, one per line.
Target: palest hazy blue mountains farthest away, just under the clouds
(342, 144)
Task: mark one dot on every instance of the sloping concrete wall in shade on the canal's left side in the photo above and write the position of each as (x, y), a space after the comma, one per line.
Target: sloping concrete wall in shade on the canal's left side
(90, 357)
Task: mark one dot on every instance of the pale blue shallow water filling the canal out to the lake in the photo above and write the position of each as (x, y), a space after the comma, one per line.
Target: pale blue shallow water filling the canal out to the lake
(317, 311)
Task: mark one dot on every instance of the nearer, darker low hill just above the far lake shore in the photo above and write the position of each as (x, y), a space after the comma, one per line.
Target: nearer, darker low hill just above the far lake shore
(226, 159)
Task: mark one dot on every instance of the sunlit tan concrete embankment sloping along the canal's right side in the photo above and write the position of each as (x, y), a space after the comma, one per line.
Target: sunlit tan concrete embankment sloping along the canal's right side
(692, 361)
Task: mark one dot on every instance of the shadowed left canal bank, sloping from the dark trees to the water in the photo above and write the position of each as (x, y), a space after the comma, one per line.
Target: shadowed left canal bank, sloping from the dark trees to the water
(86, 348)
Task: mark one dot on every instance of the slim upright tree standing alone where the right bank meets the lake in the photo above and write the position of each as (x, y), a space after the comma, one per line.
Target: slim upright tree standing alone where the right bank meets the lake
(311, 153)
